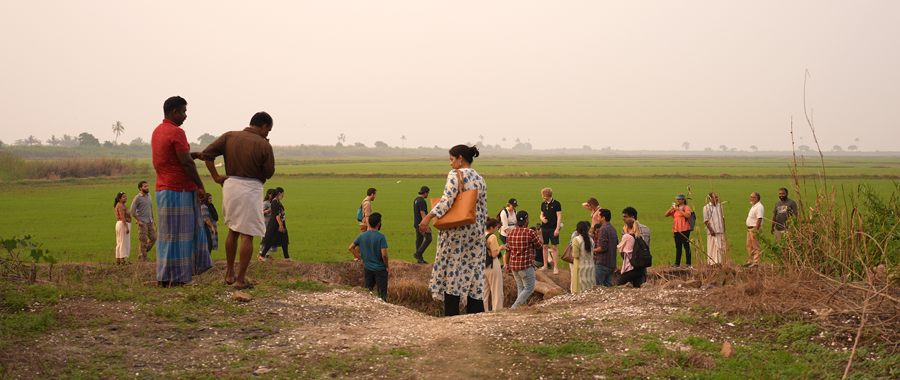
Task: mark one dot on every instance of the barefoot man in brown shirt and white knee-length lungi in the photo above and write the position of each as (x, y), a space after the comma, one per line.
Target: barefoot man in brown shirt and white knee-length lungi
(249, 162)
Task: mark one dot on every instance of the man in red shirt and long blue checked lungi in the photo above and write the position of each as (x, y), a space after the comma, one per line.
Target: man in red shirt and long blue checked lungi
(181, 246)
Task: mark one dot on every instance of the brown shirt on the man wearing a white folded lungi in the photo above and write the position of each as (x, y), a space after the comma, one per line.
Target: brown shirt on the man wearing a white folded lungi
(247, 154)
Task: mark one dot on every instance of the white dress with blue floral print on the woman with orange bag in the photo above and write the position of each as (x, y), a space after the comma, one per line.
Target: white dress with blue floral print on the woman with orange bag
(459, 264)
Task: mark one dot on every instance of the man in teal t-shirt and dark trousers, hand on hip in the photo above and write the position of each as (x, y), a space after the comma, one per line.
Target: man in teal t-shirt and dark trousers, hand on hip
(371, 248)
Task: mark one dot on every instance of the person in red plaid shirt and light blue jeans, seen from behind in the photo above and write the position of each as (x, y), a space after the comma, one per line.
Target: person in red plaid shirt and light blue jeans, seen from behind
(521, 245)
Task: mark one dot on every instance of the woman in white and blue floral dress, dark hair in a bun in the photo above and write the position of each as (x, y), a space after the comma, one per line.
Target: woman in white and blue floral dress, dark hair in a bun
(458, 272)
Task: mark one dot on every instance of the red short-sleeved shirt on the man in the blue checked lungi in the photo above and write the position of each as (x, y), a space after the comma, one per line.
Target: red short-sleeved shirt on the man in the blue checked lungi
(167, 140)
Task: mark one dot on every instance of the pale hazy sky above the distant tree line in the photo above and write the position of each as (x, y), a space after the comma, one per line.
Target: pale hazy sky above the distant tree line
(630, 75)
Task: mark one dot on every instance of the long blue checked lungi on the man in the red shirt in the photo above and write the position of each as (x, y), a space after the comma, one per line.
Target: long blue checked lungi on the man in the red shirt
(181, 249)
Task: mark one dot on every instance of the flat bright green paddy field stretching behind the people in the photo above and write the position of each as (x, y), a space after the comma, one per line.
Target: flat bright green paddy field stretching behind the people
(74, 218)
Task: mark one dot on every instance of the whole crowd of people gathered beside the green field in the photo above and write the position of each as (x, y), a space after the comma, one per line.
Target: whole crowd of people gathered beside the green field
(469, 261)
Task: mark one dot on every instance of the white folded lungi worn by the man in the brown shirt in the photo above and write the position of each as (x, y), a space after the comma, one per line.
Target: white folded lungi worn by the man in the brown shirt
(242, 206)
